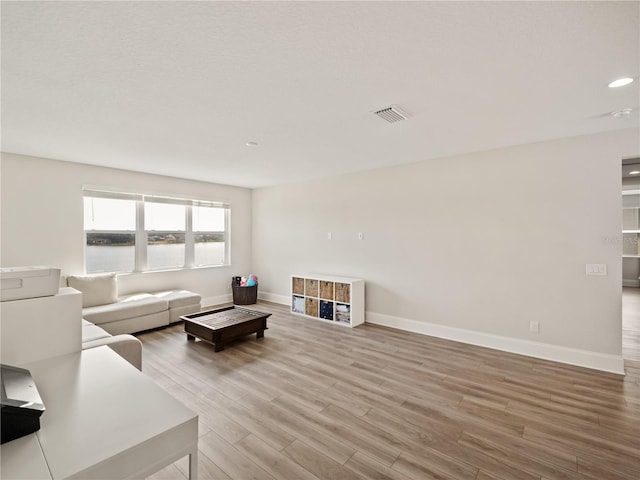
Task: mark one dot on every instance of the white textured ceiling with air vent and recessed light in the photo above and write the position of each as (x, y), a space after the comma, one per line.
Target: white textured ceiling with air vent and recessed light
(179, 88)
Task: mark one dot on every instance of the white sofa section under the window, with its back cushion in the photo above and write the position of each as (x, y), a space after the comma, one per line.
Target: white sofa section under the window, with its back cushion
(117, 315)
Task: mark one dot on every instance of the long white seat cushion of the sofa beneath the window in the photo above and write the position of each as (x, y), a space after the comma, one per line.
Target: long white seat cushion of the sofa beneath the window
(126, 307)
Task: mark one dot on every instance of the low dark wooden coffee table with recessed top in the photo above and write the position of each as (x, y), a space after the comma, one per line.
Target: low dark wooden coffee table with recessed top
(224, 325)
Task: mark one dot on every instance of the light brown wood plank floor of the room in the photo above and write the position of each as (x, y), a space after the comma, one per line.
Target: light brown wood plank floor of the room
(314, 400)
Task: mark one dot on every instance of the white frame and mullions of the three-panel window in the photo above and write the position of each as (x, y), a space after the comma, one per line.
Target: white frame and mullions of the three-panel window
(141, 235)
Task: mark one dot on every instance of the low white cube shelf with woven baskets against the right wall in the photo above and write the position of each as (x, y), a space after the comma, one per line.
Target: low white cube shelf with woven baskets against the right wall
(330, 298)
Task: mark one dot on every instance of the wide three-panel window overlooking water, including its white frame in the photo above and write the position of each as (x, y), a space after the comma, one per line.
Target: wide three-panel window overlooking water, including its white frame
(135, 232)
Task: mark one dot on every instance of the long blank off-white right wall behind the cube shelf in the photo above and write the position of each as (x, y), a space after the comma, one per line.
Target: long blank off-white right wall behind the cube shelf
(472, 247)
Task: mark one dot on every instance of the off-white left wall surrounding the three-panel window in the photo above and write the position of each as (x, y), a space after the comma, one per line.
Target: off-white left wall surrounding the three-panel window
(42, 221)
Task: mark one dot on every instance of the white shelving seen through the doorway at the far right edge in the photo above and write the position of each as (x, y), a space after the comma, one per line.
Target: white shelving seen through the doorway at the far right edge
(631, 237)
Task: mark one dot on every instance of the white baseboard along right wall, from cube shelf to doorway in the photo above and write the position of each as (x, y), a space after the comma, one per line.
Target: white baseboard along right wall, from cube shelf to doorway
(572, 356)
